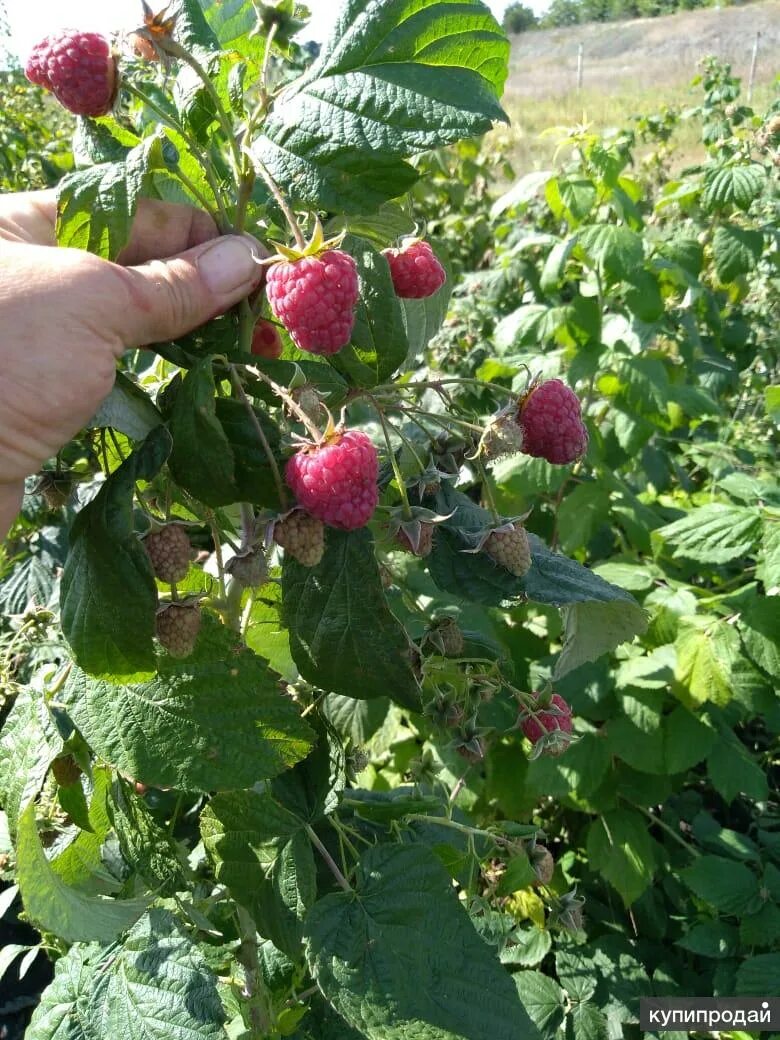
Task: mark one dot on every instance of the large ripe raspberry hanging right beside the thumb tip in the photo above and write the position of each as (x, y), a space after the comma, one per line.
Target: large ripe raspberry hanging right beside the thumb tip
(315, 299)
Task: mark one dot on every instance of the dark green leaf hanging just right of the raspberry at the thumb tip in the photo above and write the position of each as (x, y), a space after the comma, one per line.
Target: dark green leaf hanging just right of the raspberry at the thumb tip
(379, 342)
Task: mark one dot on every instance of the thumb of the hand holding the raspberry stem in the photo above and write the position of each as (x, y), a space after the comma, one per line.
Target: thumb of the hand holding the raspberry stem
(170, 298)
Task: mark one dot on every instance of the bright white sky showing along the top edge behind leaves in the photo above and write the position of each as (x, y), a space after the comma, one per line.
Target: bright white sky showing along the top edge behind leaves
(32, 19)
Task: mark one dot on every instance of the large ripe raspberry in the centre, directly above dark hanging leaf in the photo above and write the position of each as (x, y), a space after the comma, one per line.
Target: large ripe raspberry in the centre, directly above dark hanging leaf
(336, 481)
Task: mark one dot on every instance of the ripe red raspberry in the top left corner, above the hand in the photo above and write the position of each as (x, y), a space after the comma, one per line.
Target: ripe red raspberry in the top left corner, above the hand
(79, 68)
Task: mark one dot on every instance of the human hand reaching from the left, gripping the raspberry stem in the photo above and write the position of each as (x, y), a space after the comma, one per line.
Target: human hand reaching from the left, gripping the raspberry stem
(67, 317)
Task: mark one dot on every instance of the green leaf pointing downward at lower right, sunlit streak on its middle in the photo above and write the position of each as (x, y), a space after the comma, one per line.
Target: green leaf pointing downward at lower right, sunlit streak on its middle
(621, 851)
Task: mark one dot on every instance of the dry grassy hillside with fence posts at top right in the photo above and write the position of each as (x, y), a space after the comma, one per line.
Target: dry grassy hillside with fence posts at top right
(631, 68)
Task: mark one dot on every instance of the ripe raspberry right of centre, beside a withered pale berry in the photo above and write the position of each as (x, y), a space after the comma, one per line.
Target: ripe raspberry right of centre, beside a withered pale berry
(552, 422)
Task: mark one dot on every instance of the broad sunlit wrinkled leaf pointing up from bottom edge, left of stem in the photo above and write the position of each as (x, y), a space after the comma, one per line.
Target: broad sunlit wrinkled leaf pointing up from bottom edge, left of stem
(157, 984)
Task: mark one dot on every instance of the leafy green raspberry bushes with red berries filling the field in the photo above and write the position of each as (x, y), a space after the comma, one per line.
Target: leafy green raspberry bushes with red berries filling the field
(397, 656)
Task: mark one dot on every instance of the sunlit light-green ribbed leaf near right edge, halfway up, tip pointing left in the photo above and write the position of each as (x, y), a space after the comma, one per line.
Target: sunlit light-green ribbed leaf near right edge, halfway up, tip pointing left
(714, 534)
